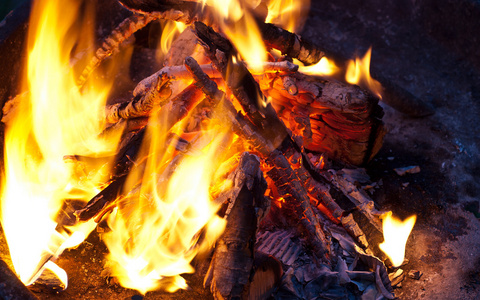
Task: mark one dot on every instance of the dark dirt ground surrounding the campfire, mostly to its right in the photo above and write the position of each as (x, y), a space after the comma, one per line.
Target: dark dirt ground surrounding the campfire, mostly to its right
(412, 51)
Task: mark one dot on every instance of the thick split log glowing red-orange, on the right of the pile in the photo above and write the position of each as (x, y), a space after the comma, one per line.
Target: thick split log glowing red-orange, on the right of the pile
(341, 120)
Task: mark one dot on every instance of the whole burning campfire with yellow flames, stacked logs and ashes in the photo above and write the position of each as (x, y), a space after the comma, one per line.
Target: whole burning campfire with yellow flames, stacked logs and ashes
(242, 153)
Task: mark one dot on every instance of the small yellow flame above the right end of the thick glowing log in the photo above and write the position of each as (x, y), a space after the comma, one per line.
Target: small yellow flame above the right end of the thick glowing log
(358, 72)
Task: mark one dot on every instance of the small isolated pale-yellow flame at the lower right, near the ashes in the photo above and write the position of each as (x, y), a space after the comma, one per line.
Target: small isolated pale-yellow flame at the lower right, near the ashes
(395, 234)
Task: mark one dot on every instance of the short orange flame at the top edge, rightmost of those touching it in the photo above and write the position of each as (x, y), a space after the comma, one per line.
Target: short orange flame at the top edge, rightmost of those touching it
(288, 14)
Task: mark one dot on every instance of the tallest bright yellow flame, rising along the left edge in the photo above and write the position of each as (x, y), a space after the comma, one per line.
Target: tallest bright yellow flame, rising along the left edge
(53, 120)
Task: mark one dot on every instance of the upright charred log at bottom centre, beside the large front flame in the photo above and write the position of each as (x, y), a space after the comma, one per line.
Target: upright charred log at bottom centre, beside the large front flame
(231, 268)
